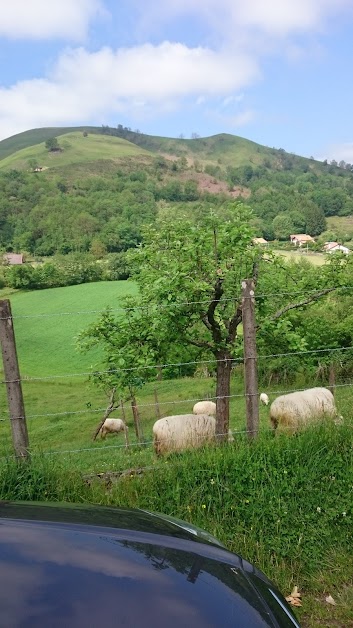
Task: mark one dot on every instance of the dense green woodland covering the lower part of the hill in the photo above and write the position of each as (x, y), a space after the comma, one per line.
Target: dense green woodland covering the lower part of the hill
(101, 209)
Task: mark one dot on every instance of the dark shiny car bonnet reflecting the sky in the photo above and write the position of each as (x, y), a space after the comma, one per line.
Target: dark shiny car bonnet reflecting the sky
(86, 566)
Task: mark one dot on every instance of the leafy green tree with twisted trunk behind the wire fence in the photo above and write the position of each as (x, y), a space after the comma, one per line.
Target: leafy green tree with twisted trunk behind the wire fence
(189, 275)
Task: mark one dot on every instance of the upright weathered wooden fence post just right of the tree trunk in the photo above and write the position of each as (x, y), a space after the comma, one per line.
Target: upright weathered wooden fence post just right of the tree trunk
(250, 358)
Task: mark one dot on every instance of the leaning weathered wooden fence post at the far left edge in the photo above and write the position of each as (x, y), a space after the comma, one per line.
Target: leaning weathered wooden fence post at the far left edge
(13, 382)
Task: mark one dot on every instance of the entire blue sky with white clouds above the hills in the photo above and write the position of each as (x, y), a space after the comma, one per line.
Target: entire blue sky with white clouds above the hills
(278, 72)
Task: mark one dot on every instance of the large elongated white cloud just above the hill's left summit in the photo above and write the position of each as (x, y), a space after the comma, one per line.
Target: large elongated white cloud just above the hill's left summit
(87, 86)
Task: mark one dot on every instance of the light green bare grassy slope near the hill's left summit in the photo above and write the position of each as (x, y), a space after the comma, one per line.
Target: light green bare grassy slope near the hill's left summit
(76, 149)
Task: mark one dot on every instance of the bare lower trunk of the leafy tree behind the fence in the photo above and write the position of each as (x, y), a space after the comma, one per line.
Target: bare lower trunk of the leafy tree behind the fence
(222, 394)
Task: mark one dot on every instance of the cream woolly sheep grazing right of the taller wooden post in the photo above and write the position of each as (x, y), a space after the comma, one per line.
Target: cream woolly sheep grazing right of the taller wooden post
(301, 408)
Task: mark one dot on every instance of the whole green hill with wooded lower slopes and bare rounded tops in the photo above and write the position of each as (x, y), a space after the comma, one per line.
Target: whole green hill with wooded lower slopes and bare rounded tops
(96, 192)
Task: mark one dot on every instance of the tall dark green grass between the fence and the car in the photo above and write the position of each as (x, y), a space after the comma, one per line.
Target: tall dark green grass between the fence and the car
(284, 503)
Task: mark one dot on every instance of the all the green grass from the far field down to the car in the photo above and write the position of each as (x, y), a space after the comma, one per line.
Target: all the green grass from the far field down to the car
(285, 503)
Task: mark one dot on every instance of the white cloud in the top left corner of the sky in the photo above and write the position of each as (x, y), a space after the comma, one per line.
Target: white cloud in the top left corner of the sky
(47, 19)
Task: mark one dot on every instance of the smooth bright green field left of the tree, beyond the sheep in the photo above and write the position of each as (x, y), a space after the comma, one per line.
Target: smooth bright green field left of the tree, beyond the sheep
(45, 335)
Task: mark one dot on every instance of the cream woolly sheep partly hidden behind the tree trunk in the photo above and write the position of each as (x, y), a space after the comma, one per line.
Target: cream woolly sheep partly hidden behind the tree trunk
(184, 431)
